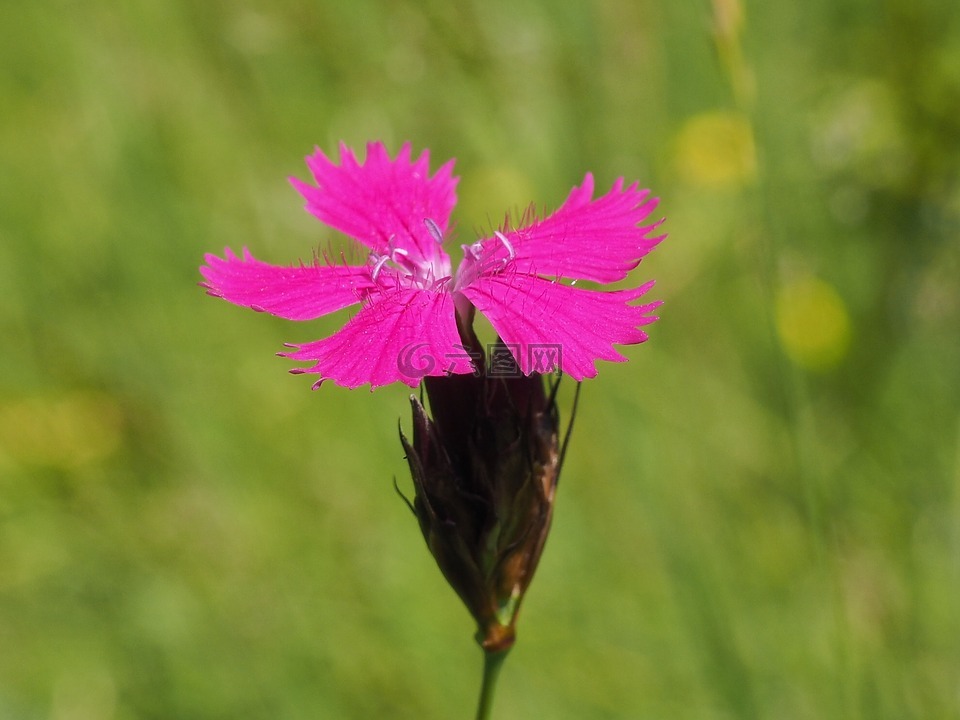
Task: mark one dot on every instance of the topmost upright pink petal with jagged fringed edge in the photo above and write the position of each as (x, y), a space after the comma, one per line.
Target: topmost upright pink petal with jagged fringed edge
(381, 202)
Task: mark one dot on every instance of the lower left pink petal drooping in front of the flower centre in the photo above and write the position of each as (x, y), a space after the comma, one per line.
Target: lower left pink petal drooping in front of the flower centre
(399, 336)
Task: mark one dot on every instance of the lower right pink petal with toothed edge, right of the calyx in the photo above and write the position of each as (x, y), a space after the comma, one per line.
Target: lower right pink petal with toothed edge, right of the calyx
(548, 319)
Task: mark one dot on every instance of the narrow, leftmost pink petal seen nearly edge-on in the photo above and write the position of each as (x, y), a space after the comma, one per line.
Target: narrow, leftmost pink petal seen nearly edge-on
(301, 292)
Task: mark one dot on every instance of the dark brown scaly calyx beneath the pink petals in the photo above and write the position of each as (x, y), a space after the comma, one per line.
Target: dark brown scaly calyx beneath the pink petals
(485, 469)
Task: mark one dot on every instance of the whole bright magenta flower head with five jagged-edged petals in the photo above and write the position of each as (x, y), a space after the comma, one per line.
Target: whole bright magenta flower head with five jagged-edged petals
(411, 298)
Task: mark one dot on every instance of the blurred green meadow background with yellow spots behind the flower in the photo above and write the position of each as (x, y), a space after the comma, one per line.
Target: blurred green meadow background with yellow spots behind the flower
(760, 512)
